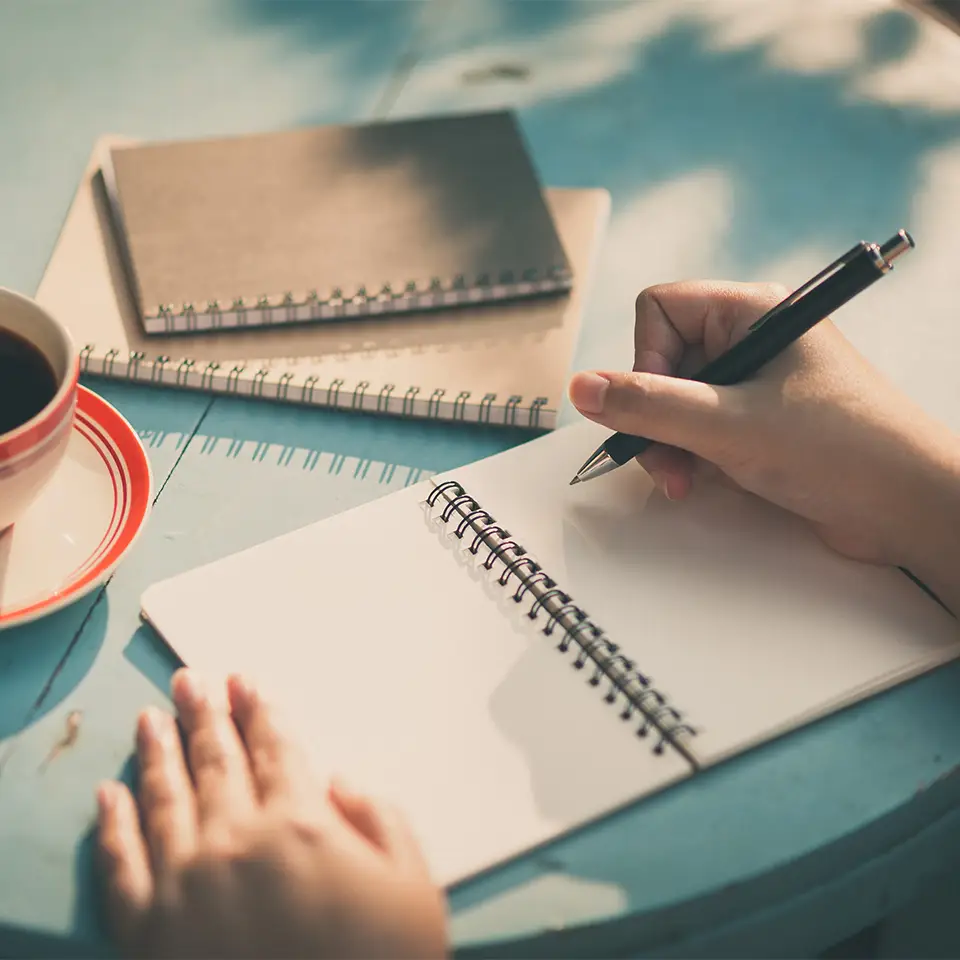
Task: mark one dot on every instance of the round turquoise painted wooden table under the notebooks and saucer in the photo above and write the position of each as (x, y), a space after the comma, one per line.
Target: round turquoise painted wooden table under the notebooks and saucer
(737, 138)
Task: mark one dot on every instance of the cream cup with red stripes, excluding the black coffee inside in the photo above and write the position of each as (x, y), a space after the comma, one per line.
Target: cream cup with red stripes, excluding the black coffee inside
(31, 451)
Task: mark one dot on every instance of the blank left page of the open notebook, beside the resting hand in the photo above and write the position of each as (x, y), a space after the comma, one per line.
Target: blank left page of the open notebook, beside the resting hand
(401, 672)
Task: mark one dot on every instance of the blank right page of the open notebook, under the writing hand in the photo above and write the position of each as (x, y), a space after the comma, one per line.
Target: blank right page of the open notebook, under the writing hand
(742, 617)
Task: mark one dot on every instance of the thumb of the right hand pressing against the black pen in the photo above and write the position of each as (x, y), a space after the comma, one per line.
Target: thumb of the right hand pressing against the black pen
(682, 413)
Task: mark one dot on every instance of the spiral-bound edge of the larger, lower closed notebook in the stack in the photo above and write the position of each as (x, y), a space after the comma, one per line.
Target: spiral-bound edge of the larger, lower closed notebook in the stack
(276, 384)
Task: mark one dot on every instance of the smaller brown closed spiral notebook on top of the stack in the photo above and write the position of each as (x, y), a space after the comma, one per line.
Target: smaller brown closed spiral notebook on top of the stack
(319, 223)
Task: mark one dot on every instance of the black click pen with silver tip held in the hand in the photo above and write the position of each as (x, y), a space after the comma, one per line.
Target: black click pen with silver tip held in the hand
(829, 290)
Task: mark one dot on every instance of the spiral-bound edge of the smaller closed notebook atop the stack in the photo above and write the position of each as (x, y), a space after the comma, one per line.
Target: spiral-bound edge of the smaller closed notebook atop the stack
(337, 303)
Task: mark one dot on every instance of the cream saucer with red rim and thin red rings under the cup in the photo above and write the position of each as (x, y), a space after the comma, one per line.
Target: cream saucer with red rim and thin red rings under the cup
(84, 521)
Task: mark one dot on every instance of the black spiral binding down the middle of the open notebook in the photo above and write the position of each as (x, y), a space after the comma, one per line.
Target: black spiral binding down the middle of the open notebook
(626, 687)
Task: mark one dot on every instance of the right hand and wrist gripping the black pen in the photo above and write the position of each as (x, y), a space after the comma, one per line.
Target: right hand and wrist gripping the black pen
(818, 432)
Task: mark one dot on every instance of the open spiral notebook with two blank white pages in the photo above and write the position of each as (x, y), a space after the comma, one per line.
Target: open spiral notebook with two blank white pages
(508, 657)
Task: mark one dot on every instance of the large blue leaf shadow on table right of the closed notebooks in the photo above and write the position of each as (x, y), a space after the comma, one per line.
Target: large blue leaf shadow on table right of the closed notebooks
(791, 143)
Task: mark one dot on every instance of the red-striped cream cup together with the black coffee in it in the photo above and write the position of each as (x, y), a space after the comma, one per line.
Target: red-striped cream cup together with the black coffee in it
(39, 370)
